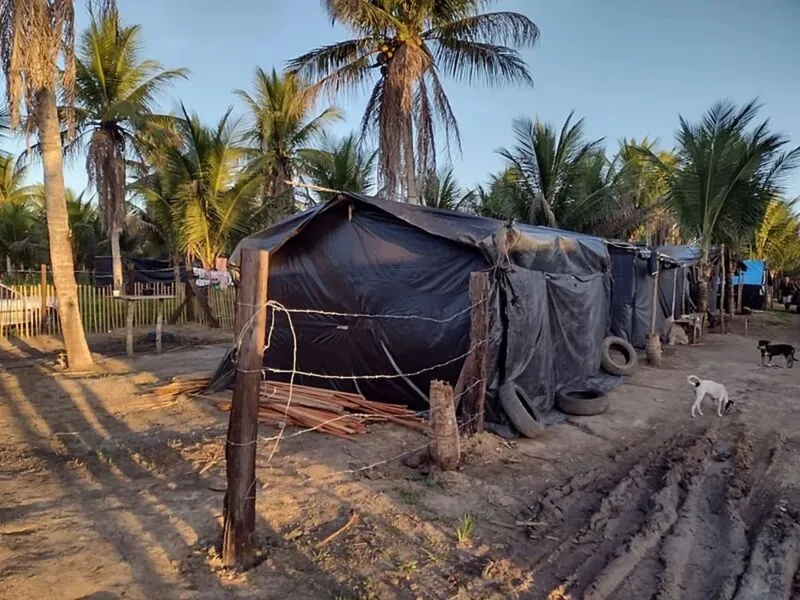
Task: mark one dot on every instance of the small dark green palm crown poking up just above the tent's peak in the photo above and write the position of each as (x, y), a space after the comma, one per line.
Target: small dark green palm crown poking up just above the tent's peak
(339, 164)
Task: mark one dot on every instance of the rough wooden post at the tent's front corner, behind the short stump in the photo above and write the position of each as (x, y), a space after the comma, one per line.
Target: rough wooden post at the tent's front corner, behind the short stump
(471, 382)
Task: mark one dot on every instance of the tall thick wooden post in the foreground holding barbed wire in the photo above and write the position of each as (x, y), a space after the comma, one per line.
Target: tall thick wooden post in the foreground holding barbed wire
(240, 449)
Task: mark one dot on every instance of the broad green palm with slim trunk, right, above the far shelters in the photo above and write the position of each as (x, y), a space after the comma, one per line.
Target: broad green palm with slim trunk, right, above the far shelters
(726, 175)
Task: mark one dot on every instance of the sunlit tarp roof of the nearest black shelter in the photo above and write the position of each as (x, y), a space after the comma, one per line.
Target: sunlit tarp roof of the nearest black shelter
(545, 249)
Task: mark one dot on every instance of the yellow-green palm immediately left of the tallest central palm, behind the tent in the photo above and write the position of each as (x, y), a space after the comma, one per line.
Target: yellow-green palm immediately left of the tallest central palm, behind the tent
(281, 125)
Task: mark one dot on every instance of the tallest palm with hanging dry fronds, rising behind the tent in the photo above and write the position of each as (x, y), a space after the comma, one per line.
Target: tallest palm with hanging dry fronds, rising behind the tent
(404, 47)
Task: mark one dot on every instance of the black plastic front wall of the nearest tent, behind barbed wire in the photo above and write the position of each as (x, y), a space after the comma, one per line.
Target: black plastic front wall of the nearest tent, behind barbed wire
(333, 267)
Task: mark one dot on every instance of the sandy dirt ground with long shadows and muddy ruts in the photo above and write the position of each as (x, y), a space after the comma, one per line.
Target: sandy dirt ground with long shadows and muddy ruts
(105, 495)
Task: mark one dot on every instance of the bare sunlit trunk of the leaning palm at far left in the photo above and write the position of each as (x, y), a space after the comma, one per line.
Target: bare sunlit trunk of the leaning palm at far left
(78, 356)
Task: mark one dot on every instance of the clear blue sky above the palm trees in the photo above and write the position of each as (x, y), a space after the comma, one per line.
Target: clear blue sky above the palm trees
(629, 67)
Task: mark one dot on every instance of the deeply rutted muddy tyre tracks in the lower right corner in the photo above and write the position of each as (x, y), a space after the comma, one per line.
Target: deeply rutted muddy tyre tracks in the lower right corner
(704, 515)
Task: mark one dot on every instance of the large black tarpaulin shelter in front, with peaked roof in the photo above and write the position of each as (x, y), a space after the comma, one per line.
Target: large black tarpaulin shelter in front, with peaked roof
(409, 267)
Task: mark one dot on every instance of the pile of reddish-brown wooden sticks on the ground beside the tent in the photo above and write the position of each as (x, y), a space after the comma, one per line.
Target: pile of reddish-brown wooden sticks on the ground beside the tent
(337, 413)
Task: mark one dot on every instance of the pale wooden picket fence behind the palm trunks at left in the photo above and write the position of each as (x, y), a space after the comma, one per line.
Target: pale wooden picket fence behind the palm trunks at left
(101, 312)
